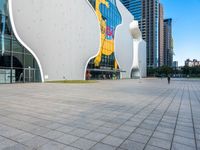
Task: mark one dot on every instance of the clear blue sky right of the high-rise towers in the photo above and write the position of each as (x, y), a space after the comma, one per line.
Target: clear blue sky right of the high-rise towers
(186, 28)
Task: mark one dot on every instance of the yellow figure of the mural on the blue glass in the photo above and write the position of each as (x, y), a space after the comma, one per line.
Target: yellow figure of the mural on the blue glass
(107, 46)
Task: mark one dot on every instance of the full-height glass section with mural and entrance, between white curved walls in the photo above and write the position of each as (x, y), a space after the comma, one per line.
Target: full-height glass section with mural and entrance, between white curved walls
(105, 65)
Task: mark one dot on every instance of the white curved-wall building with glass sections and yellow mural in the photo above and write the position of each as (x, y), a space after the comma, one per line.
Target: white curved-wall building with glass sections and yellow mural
(68, 40)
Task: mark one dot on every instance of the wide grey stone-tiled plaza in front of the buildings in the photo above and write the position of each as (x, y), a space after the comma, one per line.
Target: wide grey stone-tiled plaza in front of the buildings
(144, 114)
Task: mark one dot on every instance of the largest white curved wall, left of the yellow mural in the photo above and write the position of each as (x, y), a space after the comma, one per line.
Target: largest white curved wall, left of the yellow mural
(64, 35)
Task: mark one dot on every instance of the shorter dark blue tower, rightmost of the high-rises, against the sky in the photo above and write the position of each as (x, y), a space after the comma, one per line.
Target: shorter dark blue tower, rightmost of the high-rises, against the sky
(168, 42)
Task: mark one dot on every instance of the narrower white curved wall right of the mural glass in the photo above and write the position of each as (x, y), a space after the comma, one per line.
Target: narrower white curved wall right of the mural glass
(124, 42)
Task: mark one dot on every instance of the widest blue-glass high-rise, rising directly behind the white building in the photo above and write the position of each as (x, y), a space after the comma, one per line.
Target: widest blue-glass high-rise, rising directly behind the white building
(147, 13)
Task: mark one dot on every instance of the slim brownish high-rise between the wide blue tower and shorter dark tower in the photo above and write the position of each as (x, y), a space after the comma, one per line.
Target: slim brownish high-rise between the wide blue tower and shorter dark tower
(161, 37)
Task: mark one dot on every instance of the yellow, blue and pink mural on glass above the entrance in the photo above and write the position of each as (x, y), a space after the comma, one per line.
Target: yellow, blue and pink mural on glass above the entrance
(109, 18)
